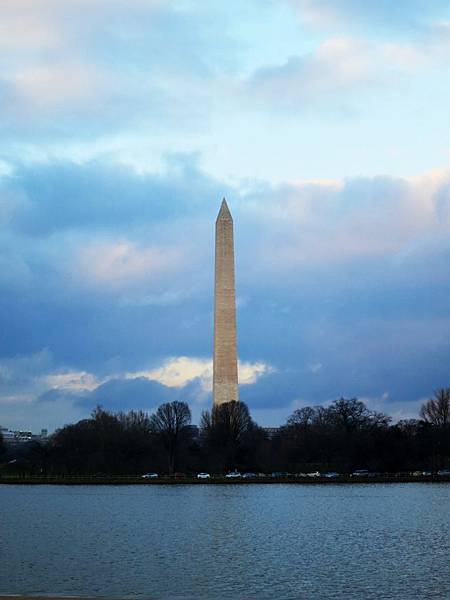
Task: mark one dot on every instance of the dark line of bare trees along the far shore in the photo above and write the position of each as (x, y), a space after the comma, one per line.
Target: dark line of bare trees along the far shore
(341, 437)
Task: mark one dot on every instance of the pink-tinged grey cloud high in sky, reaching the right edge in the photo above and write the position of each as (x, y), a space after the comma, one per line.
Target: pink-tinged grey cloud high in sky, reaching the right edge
(342, 73)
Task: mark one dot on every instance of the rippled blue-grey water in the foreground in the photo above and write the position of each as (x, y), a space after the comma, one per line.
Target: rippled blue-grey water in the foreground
(252, 541)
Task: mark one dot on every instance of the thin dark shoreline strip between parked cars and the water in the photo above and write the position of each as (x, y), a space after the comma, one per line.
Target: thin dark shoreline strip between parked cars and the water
(221, 481)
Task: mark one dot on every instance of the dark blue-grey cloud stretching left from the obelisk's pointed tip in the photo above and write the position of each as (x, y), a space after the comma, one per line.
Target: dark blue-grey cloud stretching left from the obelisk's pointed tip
(53, 197)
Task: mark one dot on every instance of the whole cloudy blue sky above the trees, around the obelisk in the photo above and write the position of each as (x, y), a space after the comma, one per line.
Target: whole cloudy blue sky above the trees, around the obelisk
(123, 124)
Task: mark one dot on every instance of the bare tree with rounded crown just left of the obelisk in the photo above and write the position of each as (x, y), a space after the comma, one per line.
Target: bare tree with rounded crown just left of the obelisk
(170, 423)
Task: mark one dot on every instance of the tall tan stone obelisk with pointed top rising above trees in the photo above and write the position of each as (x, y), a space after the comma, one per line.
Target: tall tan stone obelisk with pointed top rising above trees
(225, 375)
